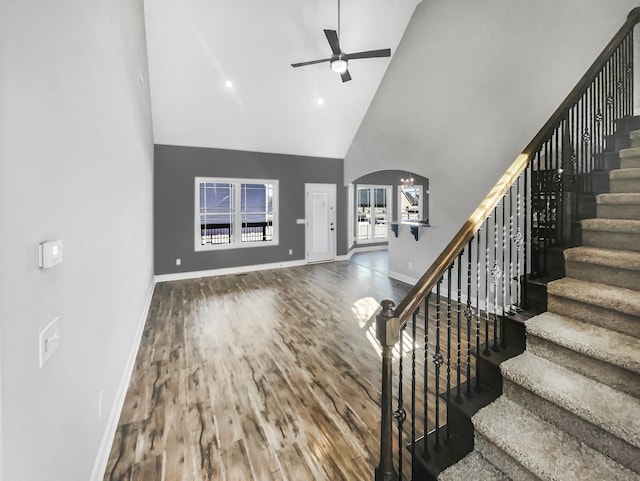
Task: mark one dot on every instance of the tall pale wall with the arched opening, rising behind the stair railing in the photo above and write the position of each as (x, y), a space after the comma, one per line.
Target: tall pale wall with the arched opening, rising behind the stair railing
(467, 89)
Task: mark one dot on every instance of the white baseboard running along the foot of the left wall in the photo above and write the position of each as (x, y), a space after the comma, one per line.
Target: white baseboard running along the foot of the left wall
(102, 458)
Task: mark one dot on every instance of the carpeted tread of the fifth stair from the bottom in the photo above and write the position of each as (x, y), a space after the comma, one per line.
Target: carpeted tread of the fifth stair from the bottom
(626, 301)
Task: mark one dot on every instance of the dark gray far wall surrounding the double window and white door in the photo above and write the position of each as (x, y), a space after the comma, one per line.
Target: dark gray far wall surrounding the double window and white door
(174, 199)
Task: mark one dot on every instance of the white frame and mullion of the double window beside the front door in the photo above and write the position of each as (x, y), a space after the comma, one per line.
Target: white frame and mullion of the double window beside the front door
(236, 231)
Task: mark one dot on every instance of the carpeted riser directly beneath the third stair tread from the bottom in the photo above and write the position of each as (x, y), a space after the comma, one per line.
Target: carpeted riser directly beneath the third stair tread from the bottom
(588, 433)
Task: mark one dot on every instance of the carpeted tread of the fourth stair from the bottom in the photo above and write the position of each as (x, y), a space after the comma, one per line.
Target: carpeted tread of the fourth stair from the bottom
(609, 346)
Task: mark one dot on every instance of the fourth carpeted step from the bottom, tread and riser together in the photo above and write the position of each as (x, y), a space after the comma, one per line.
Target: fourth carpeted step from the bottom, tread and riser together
(600, 354)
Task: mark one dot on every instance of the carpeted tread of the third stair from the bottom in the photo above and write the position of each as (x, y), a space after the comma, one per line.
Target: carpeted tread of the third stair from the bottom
(590, 400)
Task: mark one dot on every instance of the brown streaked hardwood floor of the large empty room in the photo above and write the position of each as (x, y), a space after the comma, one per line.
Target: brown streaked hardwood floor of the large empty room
(272, 375)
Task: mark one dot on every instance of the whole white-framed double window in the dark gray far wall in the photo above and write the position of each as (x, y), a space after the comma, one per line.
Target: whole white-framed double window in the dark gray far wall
(233, 213)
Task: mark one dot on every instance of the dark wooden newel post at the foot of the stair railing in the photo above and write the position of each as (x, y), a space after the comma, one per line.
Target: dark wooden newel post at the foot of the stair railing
(388, 334)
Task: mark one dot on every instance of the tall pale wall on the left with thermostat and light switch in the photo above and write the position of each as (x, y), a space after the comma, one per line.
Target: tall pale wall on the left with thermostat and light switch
(76, 163)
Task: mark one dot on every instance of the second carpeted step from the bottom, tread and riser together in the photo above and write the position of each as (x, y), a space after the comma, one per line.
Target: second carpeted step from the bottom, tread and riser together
(525, 447)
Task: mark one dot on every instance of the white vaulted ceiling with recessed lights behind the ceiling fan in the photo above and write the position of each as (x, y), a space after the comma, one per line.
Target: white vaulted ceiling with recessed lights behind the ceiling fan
(196, 46)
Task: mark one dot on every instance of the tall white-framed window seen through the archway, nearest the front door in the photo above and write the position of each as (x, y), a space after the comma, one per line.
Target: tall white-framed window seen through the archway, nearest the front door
(372, 213)
